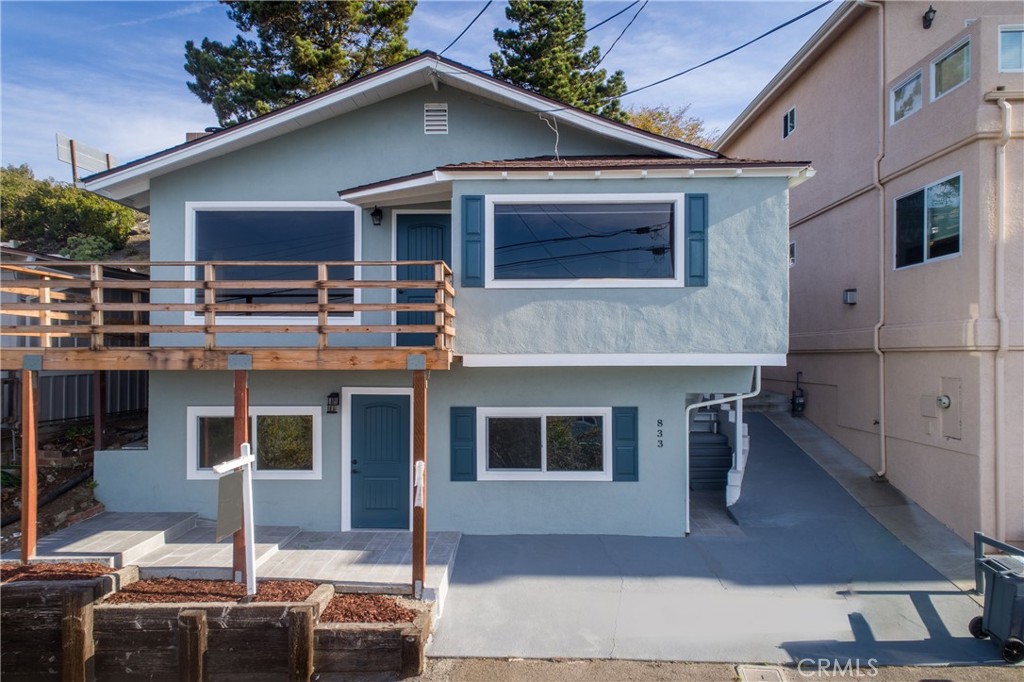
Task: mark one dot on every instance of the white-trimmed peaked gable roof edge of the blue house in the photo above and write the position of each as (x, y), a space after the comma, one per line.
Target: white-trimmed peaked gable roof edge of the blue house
(131, 183)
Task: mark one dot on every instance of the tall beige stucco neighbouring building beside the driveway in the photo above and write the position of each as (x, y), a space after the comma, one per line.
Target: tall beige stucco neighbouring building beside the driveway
(916, 215)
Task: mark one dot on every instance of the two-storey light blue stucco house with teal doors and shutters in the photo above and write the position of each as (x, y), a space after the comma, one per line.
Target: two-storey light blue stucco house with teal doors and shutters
(604, 280)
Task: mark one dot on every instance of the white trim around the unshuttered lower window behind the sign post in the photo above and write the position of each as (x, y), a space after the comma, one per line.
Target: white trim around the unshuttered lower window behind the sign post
(194, 473)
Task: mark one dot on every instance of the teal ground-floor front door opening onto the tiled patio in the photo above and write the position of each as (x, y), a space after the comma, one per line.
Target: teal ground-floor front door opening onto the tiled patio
(380, 462)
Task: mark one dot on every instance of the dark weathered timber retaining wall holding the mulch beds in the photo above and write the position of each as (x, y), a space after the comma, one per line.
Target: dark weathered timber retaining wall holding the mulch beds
(57, 632)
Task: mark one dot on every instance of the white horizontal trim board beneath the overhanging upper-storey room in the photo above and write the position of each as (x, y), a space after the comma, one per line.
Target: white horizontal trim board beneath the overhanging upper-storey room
(624, 360)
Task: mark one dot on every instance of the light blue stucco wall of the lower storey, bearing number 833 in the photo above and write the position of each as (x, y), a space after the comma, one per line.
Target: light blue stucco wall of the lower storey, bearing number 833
(156, 479)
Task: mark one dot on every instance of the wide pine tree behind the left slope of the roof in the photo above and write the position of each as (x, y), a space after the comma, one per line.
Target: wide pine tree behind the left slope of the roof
(301, 50)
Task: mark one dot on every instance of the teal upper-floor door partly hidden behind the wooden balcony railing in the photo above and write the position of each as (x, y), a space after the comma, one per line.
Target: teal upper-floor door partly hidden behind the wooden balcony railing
(420, 237)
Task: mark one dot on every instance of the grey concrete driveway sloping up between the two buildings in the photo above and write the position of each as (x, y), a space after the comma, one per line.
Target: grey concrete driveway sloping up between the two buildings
(807, 574)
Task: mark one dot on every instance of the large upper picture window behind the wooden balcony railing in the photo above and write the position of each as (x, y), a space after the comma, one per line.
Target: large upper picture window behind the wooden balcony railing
(274, 232)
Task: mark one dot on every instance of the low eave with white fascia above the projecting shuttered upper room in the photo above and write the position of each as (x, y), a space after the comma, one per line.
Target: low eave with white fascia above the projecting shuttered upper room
(438, 187)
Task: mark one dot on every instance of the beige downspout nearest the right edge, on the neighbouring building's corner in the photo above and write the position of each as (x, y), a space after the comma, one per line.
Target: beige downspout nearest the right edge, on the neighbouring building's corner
(1001, 316)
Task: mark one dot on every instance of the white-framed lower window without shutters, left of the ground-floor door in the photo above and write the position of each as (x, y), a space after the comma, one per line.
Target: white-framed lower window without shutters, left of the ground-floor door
(285, 440)
